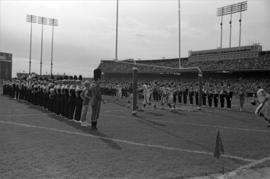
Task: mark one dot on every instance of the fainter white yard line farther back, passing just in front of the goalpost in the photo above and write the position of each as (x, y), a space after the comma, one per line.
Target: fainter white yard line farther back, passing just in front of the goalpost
(194, 124)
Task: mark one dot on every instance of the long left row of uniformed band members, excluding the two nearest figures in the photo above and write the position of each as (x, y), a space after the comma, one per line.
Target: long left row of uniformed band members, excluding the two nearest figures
(61, 97)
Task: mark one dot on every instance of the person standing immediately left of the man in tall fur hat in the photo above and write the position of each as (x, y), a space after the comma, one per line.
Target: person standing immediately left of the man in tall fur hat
(86, 97)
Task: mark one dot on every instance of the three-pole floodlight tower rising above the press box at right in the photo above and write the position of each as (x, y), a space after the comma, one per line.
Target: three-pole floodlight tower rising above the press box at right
(230, 10)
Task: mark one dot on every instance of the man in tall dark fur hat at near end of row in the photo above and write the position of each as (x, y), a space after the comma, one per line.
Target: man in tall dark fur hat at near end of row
(96, 98)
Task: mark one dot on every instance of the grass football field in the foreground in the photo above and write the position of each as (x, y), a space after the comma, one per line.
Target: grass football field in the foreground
(153, 144)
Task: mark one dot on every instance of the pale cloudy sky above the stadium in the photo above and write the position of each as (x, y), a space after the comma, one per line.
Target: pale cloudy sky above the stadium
(148, 29)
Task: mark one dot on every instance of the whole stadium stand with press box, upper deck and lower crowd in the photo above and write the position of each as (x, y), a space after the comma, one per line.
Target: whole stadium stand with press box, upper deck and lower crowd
(246, 66)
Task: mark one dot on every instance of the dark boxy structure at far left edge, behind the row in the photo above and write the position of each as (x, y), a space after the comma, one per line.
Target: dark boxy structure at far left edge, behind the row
(5, 66)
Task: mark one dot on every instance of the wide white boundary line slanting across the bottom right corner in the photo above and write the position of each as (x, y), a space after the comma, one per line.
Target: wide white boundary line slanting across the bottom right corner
(244, 167)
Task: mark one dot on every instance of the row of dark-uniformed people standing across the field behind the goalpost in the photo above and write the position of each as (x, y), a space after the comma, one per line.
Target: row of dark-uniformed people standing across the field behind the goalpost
(171, 93)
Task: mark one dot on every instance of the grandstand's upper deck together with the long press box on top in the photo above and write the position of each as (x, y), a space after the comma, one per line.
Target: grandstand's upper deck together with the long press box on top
(246, 61)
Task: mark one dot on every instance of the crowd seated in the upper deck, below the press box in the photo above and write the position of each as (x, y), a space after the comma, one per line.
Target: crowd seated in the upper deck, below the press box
(260, 63)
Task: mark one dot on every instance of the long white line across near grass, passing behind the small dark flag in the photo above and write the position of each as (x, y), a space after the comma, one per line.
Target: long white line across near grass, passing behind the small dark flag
(126, 141)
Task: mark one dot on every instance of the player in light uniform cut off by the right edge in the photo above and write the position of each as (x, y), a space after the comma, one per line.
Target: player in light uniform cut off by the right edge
(263, 109)
